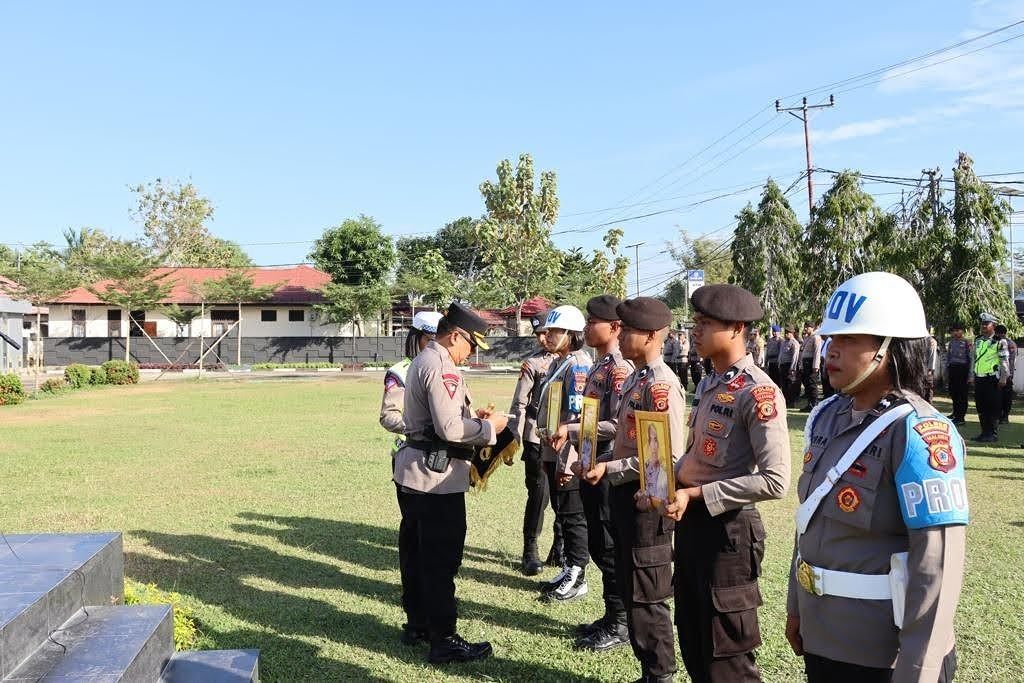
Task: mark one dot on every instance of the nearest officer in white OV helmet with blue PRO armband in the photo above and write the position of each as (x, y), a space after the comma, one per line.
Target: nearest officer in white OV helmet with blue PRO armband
(879, 558)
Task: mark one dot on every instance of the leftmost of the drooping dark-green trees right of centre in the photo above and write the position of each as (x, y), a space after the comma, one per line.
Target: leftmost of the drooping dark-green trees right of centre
(765, 254)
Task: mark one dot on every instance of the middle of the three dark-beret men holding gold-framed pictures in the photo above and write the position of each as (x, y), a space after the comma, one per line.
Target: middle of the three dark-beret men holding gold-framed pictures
(644, 538)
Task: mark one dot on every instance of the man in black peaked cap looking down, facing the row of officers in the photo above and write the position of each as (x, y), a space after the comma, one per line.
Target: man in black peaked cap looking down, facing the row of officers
(433, 469)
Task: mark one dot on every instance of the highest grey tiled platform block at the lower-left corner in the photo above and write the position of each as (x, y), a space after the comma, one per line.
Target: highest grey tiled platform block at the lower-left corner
(46, 579)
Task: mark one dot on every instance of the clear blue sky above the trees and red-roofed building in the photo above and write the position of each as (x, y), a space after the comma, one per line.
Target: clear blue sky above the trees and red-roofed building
(293, 117)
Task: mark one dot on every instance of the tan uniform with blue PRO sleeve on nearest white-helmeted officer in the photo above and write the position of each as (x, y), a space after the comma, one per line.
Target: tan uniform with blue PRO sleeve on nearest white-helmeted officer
(906, 494)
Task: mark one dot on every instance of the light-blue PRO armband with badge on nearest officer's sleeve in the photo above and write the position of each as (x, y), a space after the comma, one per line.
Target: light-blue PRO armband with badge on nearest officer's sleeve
(930, 482)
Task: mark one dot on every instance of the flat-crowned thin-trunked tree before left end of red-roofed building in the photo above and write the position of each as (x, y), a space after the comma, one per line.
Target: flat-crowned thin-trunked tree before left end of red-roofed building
(131, 282)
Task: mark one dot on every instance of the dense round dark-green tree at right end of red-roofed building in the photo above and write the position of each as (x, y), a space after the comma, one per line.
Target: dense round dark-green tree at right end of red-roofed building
(360, 260)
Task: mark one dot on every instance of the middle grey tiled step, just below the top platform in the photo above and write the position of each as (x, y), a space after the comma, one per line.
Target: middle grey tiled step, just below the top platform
(105, 646)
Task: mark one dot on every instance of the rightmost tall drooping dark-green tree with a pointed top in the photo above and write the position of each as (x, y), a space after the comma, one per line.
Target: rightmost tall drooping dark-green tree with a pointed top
(978, 253)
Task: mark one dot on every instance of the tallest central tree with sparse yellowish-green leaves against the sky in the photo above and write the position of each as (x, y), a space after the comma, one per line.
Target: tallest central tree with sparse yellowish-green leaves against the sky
(516, 236)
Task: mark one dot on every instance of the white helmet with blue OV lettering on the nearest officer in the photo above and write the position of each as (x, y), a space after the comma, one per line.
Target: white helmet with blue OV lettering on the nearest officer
(875, 304)
